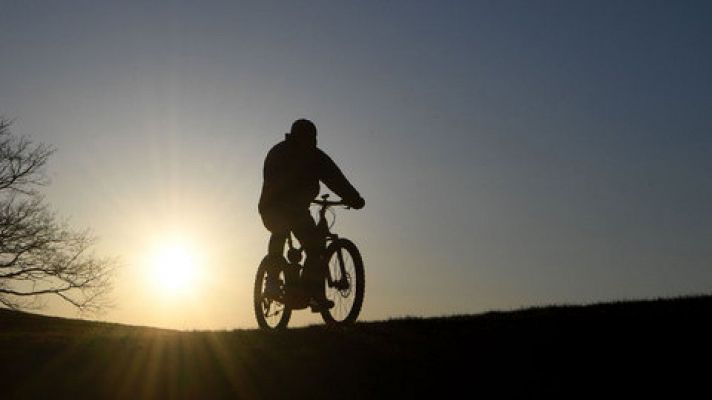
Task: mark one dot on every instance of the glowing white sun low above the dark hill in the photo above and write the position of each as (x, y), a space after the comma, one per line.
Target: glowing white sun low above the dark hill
(175, 267)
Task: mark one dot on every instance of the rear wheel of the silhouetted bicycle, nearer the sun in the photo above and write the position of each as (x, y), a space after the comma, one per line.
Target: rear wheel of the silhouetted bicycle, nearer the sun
(270, 311)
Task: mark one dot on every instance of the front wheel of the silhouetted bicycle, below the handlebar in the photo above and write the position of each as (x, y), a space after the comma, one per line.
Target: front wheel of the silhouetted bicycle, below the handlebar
(345, 282)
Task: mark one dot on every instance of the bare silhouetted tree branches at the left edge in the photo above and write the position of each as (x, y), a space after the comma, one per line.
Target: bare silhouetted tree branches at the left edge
(39, 255)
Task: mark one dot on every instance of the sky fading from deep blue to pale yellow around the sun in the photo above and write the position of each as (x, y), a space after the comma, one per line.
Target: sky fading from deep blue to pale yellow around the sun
(511, 153)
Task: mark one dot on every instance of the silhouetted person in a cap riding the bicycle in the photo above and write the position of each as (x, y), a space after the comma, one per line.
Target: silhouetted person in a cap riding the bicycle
(292, 171)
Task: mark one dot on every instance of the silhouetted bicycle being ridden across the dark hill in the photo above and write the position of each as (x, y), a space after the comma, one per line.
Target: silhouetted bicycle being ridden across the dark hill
(344, 280)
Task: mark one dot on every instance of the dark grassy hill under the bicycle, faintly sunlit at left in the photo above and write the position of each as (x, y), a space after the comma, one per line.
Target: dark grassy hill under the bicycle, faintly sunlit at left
(625, 349)
